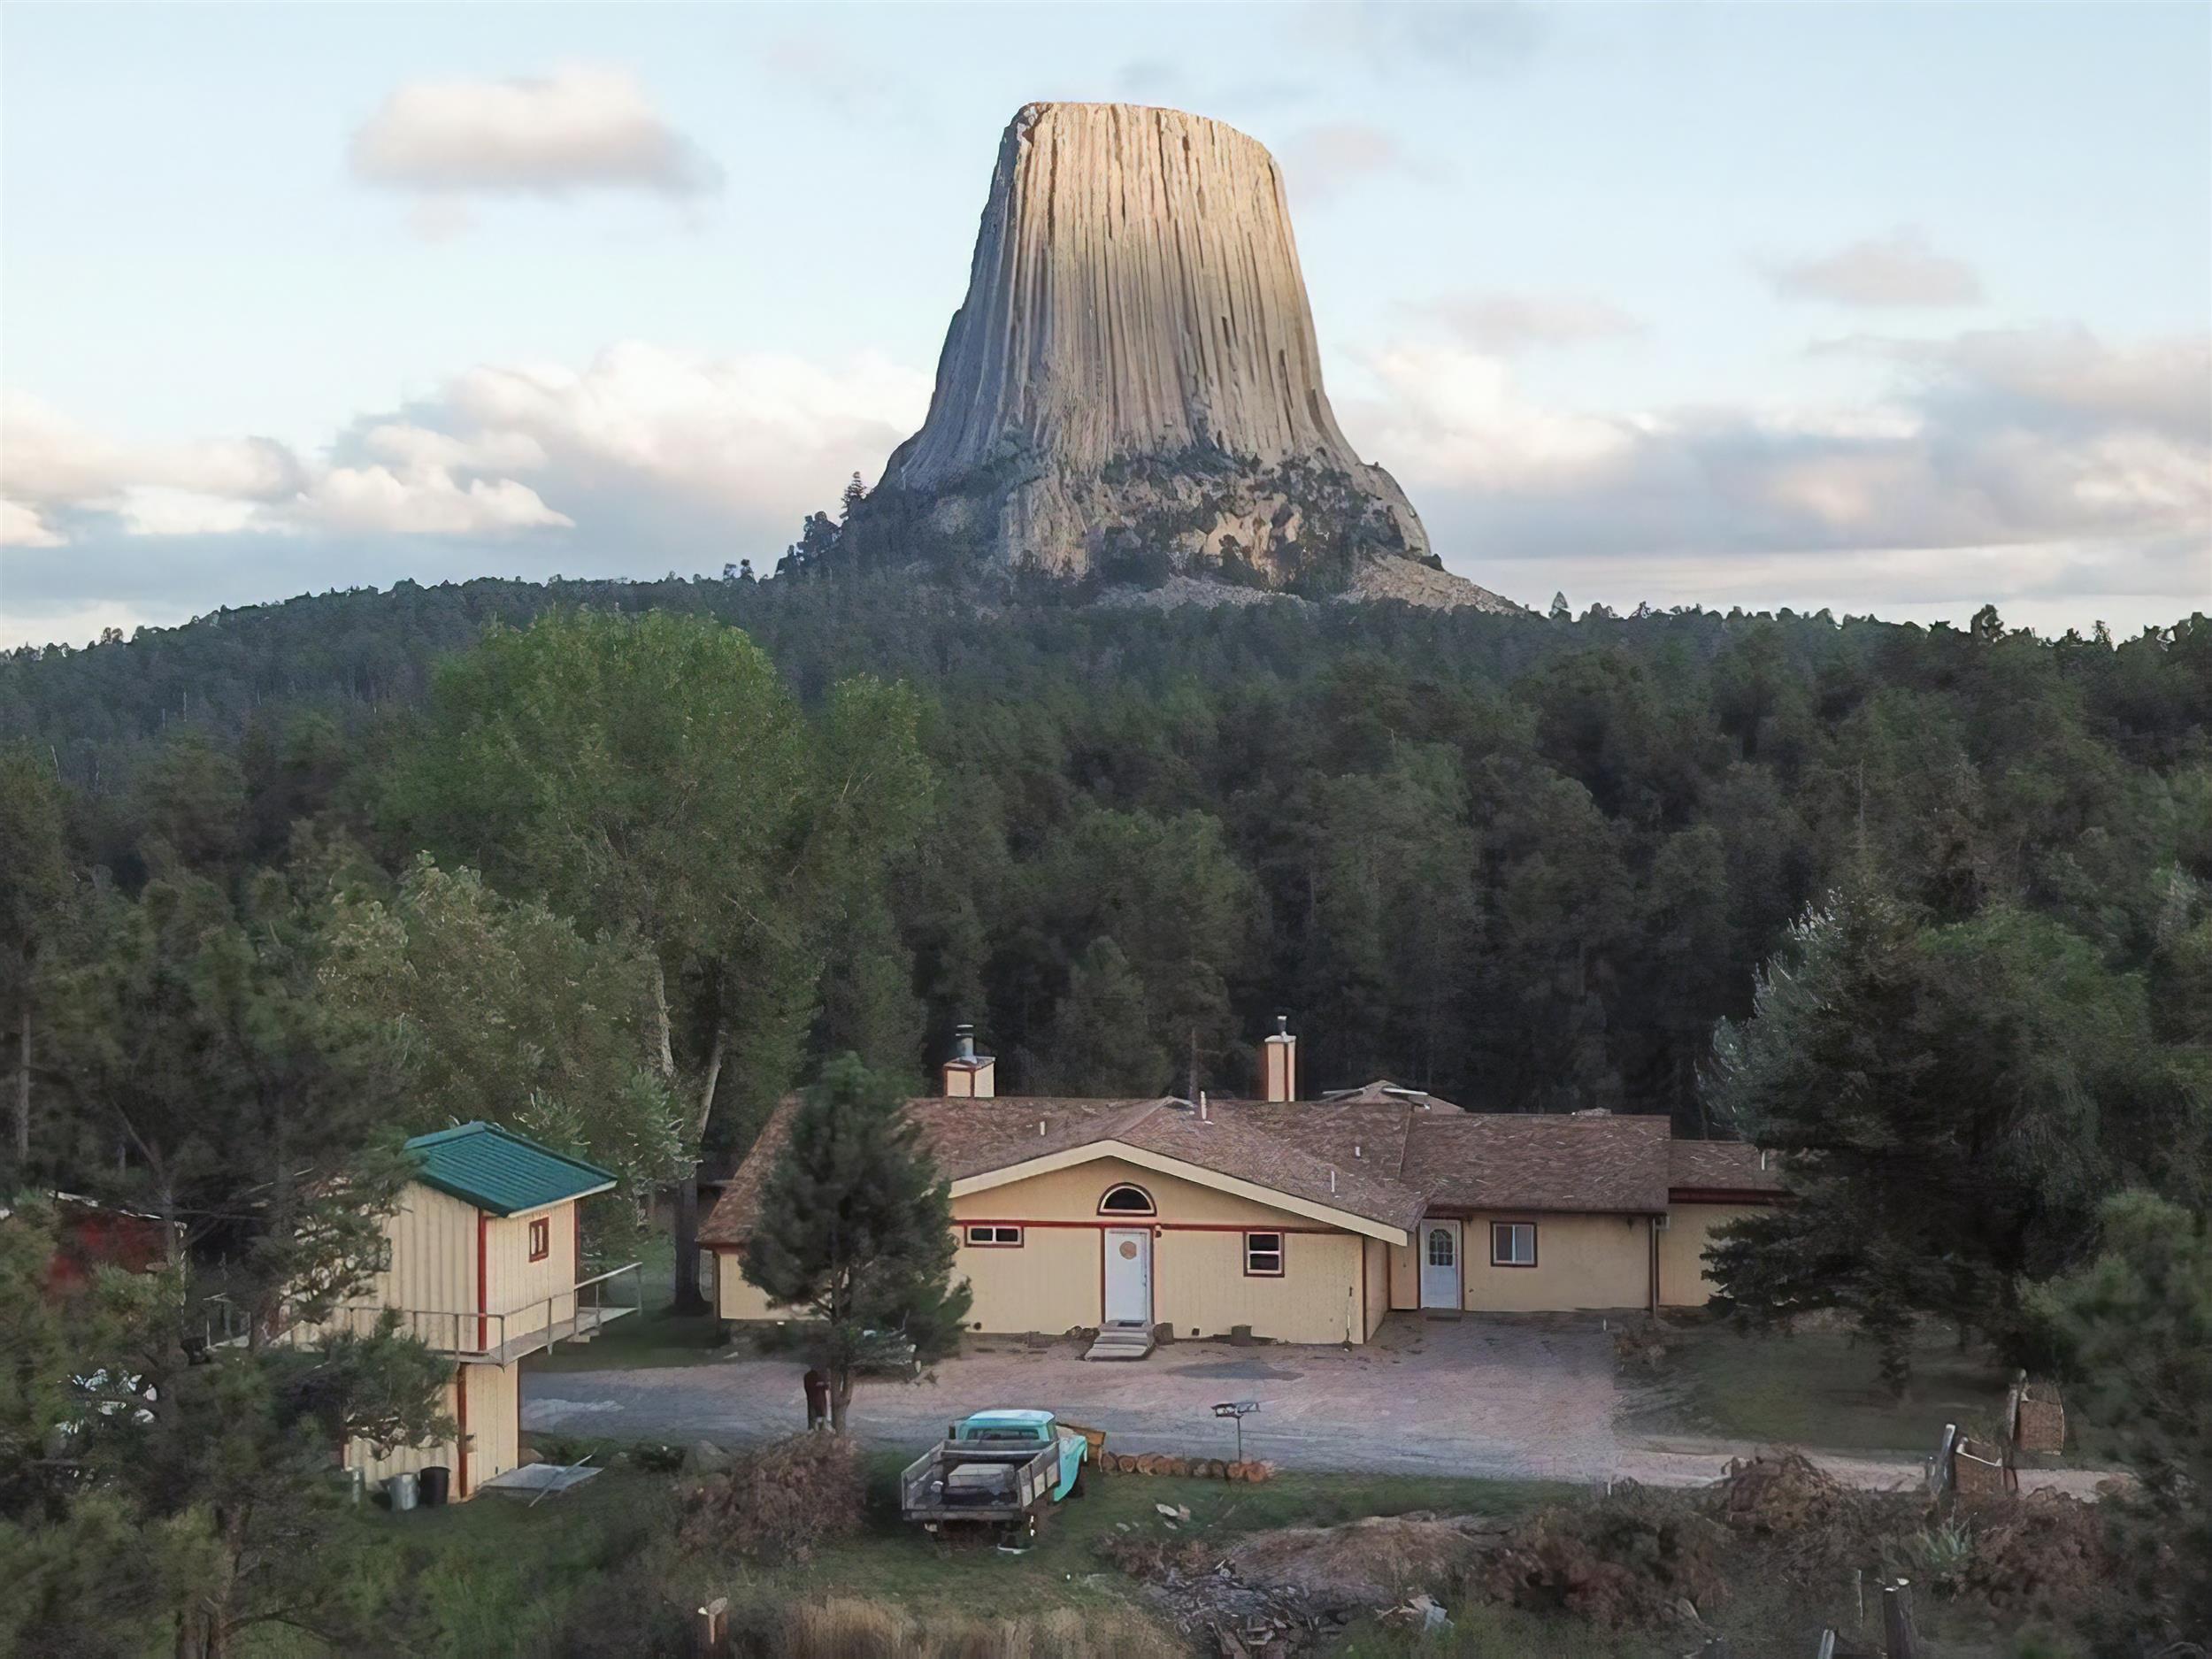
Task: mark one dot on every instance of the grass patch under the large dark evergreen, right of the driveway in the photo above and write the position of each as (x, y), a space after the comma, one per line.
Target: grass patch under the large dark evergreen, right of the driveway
(1815, 1390)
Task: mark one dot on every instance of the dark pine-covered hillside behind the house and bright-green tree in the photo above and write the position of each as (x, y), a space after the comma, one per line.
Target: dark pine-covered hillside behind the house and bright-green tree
(1521, 862)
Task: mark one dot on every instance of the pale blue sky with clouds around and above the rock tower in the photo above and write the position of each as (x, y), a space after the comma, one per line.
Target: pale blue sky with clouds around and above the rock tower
(1886, 309)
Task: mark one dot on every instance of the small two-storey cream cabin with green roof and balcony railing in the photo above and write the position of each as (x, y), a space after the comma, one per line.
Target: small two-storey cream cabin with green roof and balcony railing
(486, 1264)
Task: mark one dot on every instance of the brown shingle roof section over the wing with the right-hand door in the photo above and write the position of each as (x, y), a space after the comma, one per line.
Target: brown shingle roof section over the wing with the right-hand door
(1541, 1162)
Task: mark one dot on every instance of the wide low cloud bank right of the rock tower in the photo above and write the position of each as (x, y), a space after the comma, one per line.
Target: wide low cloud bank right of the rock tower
(2036, 463)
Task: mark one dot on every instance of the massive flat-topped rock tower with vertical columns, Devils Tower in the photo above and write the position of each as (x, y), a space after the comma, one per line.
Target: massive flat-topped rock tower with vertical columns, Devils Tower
(1134, 384)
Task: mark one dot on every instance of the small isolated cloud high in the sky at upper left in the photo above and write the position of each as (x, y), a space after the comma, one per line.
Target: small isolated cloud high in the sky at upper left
(567, 132)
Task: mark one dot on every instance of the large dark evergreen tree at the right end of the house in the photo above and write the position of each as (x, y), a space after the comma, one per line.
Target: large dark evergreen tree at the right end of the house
(1948, 1105)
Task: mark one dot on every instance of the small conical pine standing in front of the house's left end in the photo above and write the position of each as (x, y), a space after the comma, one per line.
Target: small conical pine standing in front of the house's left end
(857, 1231)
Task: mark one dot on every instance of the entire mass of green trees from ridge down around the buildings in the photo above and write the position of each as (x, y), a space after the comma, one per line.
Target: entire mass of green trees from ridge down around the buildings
(1926, 912)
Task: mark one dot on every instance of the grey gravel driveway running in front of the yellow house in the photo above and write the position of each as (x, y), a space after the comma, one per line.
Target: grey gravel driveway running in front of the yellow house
(1483, 1397)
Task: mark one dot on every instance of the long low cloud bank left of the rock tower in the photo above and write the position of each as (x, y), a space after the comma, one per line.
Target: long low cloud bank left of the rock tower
(651, 446)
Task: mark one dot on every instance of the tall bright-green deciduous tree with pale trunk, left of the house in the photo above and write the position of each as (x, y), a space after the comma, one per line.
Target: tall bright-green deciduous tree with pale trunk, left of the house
(654, 775)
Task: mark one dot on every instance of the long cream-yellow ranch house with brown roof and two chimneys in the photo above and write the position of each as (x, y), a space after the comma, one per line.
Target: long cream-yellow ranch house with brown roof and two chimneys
(1297, 1220)
